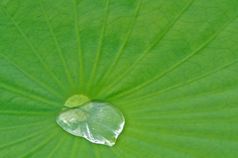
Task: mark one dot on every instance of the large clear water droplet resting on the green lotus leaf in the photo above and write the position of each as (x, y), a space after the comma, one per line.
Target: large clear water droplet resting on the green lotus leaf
(98, 122)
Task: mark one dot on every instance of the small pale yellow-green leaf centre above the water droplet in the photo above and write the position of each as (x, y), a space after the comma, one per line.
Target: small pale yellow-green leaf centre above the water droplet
(76, 100)
